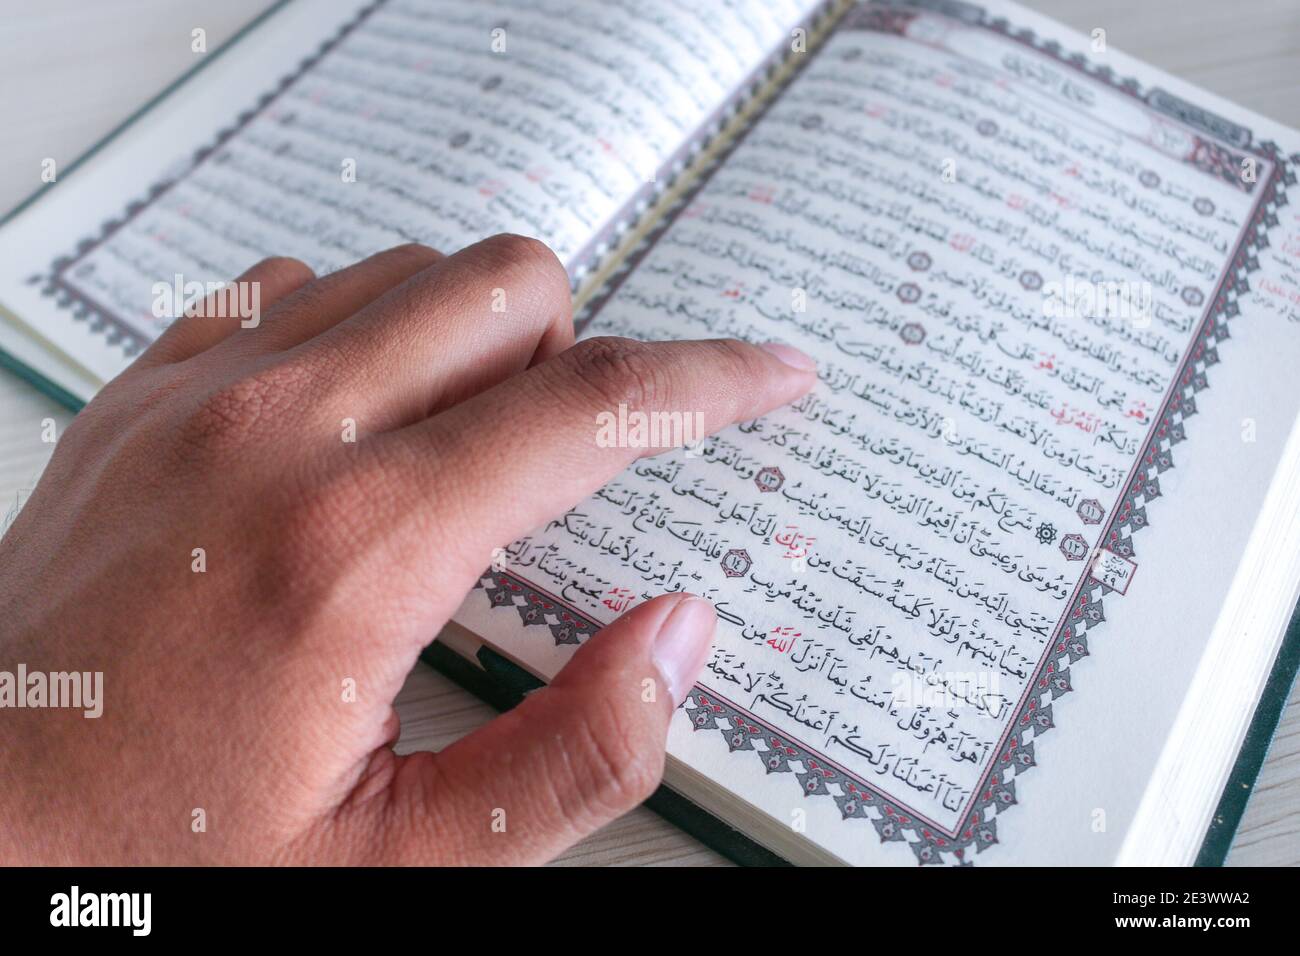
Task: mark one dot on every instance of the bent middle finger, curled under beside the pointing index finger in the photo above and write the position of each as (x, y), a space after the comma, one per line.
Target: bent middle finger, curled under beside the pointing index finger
(452, 331)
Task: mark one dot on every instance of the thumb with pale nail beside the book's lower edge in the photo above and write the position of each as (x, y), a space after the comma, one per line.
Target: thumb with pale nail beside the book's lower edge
(565, 763)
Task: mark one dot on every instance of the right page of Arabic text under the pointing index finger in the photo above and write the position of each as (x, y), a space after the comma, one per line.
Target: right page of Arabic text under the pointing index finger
(1024, 272)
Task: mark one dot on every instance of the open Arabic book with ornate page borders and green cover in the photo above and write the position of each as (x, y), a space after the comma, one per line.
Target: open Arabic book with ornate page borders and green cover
(1011, 583)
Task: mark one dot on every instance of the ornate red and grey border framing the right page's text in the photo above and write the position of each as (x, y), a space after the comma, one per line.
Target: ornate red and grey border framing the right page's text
(1220, 149)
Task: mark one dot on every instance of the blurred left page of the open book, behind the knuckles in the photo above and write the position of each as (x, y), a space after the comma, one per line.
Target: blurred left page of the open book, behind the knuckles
(426, 122)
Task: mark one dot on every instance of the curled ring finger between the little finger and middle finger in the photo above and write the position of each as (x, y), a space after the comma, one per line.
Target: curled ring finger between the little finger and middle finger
(322, 305)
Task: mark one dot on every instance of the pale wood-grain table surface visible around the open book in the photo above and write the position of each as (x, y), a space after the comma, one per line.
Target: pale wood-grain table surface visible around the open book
(72, 71)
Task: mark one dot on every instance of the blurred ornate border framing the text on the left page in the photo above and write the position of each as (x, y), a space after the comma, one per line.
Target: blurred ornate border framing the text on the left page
(118, 332)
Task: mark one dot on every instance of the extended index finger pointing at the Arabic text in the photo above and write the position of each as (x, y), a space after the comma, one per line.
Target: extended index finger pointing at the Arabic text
(562, 419)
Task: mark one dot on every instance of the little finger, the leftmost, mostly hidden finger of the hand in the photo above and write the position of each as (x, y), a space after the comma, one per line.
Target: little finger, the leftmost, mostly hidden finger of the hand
(240, 304)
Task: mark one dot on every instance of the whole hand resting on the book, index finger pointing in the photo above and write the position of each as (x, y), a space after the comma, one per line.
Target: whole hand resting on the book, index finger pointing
(332, 561)
